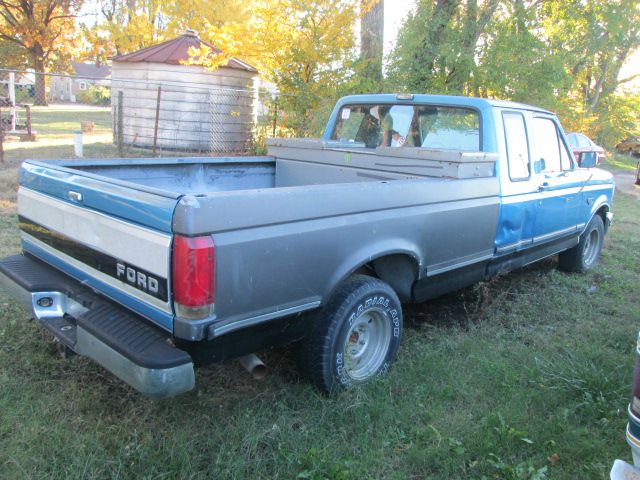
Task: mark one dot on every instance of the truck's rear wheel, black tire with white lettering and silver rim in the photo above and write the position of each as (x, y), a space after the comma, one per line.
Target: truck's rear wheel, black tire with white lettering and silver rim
(363, 316)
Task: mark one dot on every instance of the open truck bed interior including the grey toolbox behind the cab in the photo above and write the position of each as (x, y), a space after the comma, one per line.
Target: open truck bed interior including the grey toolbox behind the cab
(294, 162)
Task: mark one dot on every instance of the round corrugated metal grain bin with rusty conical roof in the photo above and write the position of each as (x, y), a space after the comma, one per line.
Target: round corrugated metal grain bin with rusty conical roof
(199, 109)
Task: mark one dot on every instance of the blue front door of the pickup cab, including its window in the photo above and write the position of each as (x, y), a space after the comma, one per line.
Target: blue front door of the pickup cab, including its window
(559, 184)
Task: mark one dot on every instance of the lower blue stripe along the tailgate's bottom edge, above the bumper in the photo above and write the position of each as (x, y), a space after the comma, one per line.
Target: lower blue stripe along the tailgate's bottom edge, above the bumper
(160, 318)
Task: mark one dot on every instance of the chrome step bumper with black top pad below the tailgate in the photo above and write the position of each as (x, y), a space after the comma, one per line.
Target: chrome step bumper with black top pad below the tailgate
(120, 341)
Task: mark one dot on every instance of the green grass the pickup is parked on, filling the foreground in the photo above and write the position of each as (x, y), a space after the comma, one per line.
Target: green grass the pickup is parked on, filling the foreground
(523, 377)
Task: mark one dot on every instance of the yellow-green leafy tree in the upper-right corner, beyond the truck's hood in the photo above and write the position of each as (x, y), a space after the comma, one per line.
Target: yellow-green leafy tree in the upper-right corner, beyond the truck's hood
(594, 40)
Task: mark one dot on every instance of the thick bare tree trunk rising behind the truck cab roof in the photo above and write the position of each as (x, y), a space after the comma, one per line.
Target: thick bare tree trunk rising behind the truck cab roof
(372, 38)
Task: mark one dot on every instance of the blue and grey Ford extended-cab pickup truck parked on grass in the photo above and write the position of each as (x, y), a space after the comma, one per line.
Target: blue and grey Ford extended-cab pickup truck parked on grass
(152, 267)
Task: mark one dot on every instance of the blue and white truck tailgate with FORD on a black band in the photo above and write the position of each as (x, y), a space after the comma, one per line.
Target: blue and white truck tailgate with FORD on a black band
(114, 238)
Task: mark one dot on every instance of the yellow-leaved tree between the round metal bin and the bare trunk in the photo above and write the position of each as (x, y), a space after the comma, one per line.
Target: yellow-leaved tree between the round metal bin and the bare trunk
(305, 47)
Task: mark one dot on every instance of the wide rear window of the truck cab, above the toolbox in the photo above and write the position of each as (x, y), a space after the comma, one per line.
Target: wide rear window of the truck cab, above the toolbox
(408, 125)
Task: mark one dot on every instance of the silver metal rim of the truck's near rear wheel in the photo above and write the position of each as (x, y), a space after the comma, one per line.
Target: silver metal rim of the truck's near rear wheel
(367, 344)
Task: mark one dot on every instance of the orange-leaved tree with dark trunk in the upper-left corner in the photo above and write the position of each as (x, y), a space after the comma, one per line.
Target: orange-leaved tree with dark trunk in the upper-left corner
(43, 29)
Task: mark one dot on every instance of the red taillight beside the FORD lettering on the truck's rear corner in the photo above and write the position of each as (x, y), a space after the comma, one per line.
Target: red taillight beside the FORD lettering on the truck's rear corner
(193, 276)
